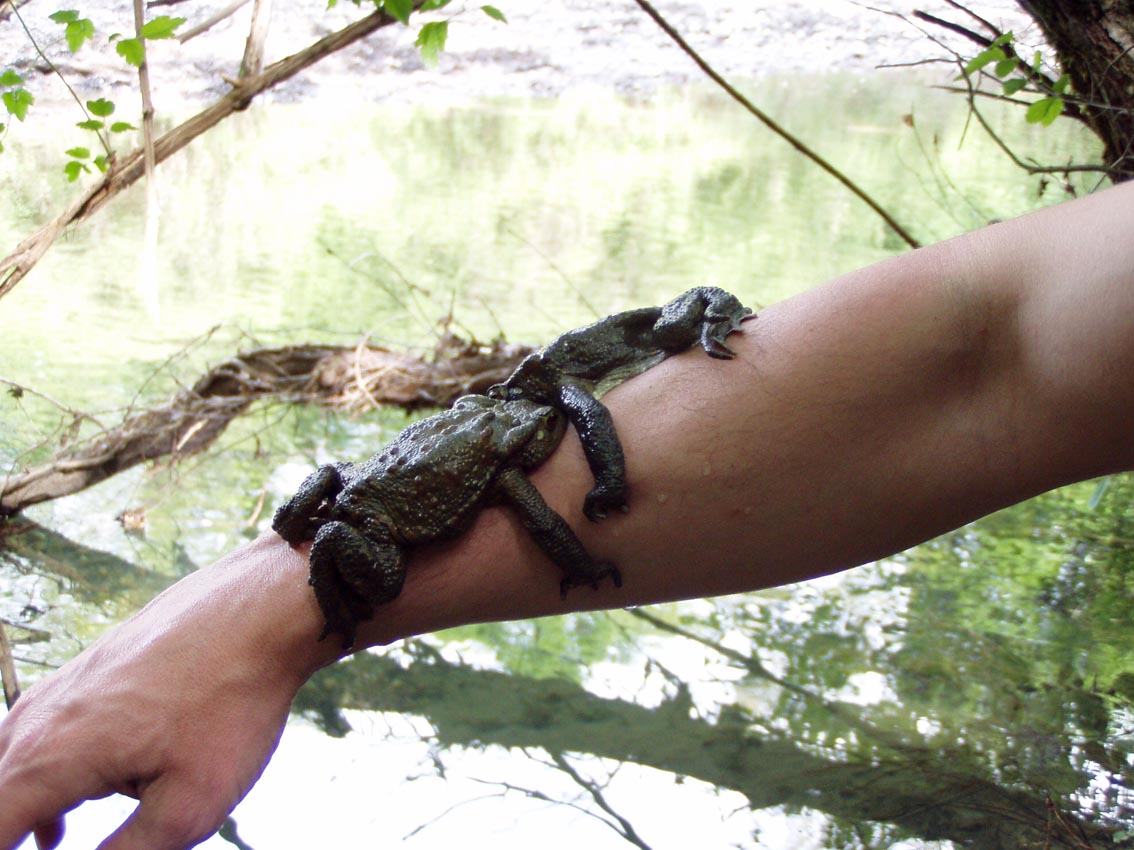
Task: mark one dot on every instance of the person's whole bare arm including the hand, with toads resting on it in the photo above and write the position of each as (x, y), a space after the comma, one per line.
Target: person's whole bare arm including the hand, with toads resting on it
(859, 419)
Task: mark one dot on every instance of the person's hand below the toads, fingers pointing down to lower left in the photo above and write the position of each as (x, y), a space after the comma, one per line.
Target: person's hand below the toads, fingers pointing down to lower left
(132, 713)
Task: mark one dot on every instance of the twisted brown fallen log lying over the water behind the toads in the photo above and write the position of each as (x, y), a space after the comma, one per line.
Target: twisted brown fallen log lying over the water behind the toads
(354, 379)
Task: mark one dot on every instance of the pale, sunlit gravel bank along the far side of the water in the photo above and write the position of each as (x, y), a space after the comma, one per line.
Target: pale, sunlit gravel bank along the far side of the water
(545, 50)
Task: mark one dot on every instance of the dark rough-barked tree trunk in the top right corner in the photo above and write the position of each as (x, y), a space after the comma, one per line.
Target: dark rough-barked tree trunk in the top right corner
(1095, 44)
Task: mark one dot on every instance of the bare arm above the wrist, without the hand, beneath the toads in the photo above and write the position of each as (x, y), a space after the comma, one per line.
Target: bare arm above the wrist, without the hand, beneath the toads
(860, 419)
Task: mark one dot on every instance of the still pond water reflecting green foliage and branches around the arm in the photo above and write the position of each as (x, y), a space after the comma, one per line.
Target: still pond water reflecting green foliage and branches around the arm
(976, 692)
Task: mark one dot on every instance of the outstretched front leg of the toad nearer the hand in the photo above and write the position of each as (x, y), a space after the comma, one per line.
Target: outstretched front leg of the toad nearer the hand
(553, 534)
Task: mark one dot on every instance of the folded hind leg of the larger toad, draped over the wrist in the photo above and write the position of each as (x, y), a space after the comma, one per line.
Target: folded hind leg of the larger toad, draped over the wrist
(352, 574)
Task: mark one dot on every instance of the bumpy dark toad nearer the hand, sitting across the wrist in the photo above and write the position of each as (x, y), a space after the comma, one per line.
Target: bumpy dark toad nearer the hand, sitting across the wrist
(428, 484)
